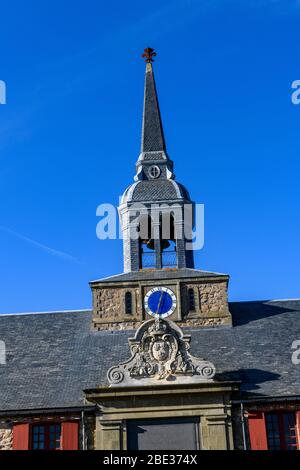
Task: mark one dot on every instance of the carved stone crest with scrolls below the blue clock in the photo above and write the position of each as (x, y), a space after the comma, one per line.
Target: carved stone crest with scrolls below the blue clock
(160, 353)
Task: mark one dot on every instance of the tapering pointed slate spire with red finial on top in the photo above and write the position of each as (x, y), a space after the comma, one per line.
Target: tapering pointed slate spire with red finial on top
(152, 132)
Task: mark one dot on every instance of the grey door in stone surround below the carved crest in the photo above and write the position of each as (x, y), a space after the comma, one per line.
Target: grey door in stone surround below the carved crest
(163, 434)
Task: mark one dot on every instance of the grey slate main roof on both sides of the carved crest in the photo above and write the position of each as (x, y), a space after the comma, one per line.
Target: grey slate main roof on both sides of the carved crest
(53, 357)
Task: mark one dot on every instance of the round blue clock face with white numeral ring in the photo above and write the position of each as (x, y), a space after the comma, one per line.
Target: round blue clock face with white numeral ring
(160, 302)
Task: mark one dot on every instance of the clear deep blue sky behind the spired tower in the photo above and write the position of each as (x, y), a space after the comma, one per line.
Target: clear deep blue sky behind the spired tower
(70, 133)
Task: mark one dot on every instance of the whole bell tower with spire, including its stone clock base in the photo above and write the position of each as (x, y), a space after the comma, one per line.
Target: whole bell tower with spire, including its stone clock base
(156, 216)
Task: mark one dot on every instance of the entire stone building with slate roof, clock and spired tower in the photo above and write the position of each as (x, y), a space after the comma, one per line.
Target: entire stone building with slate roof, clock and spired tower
(163, 360)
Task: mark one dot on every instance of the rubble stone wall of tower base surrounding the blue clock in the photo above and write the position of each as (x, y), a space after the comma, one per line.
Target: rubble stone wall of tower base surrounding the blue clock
(211, 304)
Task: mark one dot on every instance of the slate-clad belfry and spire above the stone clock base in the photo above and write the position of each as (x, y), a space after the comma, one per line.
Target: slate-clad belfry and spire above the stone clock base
(156, 211)
